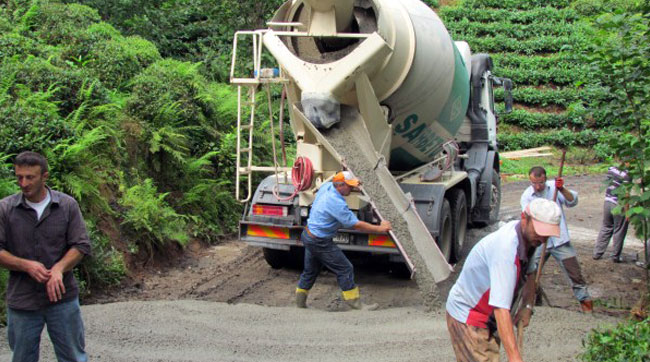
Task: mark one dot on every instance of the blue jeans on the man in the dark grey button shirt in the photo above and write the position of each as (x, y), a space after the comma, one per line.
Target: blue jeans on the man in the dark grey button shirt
(64, 325)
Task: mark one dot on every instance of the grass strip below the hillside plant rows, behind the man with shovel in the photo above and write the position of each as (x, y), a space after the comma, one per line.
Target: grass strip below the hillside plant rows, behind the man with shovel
(579, 161)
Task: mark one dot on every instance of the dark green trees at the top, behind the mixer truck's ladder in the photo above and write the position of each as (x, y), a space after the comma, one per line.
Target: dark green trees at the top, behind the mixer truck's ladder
(188, 30)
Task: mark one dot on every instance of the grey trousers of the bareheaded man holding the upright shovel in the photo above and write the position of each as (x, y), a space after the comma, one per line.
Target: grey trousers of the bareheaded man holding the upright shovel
(566, 256)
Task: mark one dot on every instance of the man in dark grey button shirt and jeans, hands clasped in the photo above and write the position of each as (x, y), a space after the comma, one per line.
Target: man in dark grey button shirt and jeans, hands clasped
(42, 237)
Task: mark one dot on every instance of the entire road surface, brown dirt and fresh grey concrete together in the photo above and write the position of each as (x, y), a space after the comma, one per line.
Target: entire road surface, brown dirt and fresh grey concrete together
(224, 303)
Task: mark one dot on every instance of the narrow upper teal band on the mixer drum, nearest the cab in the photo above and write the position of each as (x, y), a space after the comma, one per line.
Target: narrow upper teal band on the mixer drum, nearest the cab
(453, 113)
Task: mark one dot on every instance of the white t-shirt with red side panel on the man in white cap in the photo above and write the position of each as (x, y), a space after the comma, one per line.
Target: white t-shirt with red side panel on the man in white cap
(488, 279)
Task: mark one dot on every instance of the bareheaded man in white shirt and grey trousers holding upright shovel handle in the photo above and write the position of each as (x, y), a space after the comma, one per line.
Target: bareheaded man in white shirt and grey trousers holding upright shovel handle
(560, 247)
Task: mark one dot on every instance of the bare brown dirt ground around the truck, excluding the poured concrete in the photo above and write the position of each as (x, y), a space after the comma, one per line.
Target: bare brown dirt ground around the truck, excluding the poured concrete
(233, 272)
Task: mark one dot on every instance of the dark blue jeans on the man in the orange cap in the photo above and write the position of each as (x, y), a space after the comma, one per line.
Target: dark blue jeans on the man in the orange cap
(321, 252)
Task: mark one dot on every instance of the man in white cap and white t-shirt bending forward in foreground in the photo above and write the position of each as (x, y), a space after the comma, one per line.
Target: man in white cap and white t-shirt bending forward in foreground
(479, 303)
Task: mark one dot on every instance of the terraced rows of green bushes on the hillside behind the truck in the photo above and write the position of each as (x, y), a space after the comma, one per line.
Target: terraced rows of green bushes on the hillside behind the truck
(541, 46)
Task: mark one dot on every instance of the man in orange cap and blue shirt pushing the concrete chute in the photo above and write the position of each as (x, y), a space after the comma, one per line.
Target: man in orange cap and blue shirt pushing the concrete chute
(330, 212)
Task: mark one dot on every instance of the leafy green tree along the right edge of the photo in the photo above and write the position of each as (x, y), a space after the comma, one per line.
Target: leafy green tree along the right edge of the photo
(620, 63)
